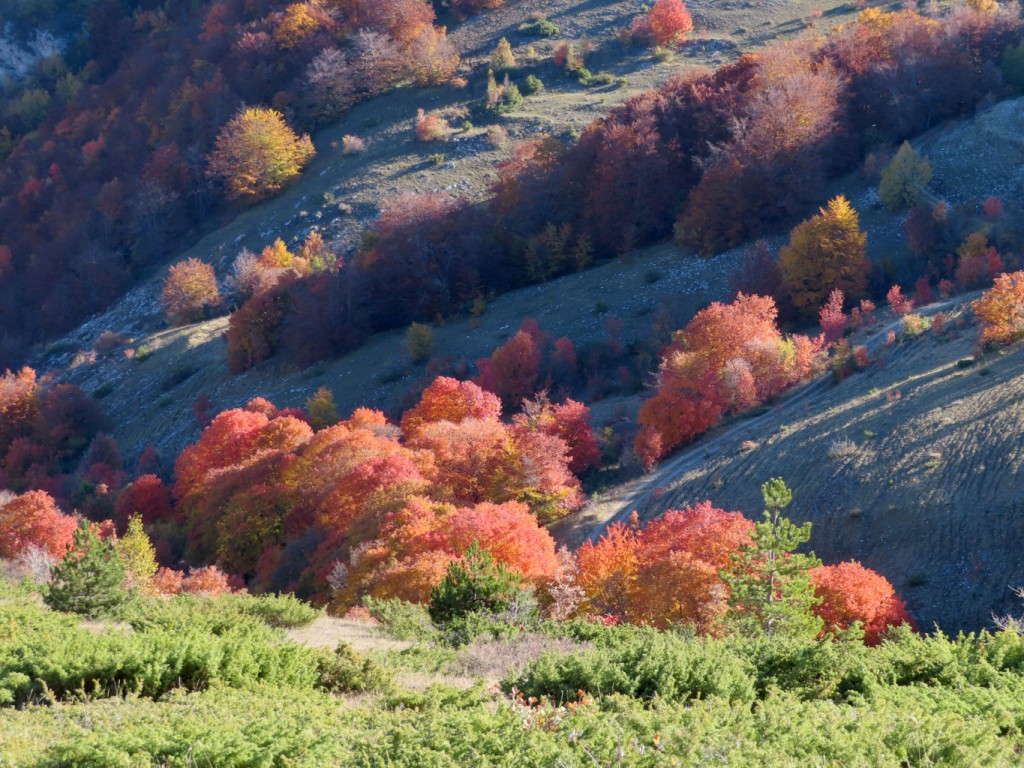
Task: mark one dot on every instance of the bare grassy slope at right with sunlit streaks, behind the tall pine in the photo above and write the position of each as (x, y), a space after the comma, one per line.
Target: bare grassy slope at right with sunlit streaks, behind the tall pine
(913, 467)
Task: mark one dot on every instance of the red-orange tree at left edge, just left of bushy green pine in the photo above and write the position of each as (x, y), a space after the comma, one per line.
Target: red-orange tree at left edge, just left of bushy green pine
(33, 520)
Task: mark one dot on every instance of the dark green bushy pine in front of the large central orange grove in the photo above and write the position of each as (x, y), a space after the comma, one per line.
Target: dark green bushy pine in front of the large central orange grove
(477, 584)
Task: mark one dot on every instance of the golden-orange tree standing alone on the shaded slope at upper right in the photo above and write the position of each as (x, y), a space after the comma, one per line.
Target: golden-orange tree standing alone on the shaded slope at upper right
(826, 252)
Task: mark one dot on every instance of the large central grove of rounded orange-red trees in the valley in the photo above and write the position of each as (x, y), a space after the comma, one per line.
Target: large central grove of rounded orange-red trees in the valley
(389, 507)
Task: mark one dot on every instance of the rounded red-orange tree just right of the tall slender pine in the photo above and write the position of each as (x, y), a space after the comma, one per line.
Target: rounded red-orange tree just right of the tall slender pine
(851, 593)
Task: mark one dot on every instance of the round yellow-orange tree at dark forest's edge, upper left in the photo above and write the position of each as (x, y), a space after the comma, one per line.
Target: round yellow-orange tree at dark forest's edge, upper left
(258, 154)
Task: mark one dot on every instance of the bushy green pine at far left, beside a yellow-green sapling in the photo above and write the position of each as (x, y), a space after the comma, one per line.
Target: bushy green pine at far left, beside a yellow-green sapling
(90, 580)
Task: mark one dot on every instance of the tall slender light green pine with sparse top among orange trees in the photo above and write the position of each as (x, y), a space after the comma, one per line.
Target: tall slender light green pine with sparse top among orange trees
(773, 592)
